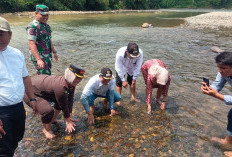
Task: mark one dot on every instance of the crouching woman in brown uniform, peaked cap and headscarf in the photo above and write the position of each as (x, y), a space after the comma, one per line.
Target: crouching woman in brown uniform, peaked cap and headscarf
(57, 89)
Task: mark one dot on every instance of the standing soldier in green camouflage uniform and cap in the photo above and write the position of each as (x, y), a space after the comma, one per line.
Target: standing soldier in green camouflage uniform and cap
(40, 43)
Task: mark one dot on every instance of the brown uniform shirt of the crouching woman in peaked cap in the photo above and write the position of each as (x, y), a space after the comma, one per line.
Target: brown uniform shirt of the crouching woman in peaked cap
(53, 88)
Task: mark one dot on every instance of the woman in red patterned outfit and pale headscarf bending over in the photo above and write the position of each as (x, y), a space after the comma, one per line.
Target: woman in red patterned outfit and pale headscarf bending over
(156, 75)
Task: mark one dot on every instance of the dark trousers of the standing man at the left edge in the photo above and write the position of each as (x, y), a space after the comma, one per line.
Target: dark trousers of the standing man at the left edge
(13, 118)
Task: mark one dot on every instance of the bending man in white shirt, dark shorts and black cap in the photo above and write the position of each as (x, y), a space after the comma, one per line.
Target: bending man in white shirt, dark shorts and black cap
(128, 61)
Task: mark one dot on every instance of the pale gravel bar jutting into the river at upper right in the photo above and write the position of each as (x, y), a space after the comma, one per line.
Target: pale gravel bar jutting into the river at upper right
(213, 20)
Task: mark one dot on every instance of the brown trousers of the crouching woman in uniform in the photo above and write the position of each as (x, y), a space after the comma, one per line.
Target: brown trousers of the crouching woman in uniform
(44, 108)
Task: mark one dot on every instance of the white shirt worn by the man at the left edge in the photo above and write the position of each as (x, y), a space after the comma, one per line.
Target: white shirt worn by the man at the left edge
(13, 69)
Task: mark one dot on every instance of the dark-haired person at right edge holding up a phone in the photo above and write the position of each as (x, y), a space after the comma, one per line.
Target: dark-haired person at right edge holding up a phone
(224, 64)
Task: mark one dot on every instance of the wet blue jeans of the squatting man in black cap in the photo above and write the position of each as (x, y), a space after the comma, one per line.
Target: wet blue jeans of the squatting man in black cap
(88, 101)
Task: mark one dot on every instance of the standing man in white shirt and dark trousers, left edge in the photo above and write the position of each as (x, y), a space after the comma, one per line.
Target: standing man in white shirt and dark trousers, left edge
(14, 81)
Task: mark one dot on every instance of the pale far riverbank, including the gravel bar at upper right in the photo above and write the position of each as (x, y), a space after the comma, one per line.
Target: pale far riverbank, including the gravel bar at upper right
(213, 19)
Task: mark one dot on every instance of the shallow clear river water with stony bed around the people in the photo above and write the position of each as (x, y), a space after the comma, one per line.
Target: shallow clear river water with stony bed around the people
(188, 123)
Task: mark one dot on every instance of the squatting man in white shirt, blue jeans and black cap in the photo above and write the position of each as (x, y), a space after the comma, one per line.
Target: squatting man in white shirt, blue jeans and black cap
(100, 85)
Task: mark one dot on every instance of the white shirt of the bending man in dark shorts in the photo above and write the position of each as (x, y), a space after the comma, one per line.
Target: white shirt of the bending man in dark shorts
(124, 64)
